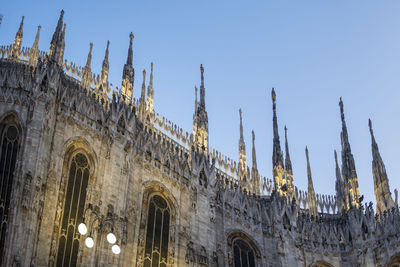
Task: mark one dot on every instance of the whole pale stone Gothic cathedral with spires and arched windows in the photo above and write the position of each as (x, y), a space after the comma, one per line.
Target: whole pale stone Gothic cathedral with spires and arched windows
(91, 176)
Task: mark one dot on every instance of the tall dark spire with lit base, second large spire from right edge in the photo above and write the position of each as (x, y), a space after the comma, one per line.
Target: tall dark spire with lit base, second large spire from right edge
(349, 173)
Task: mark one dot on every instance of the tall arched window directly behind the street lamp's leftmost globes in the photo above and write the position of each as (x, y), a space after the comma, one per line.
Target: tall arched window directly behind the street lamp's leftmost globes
(74, 205)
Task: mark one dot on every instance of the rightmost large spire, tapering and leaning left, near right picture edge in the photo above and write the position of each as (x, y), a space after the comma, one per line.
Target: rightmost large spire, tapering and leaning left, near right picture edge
(383, 195)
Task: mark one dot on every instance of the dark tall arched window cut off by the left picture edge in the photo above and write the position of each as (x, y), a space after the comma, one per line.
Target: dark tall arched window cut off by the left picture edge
(10, 137)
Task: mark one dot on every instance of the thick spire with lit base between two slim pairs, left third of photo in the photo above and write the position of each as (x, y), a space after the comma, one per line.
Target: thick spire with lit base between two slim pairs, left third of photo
(128, 74)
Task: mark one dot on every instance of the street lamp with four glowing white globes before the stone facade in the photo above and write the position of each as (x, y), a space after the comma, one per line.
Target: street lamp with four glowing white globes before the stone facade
(103, 223)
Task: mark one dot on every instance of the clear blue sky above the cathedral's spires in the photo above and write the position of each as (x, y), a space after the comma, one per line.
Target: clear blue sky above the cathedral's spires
(312, 52)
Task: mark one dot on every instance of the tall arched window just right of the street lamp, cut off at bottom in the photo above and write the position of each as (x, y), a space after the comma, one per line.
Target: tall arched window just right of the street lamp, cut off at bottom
(157, 233)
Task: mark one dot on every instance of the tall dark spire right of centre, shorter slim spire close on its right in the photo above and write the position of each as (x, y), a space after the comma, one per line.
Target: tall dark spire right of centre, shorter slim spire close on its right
(277, 159)
